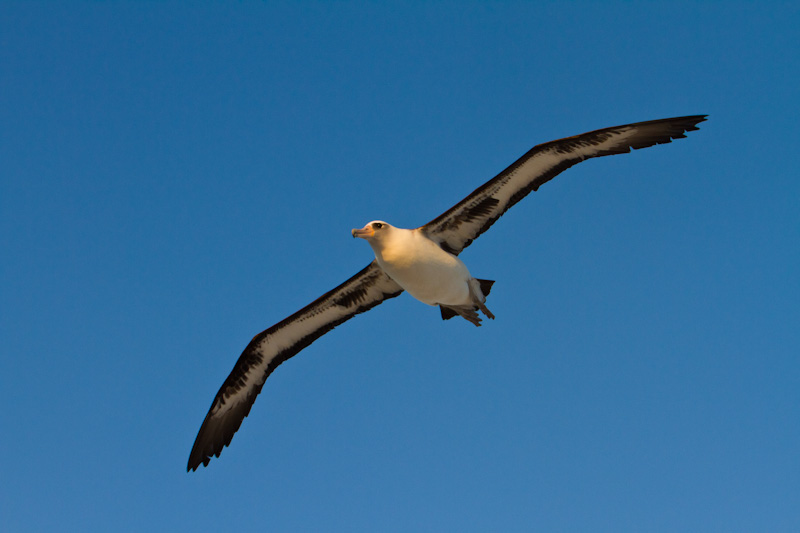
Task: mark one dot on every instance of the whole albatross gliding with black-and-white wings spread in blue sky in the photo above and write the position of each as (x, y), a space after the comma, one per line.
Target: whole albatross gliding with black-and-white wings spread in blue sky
(423, 262)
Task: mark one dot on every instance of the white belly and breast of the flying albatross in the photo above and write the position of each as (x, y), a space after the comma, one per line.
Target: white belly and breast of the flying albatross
(427, 272)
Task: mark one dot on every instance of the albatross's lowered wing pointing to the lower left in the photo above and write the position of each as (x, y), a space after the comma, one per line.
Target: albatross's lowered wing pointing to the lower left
(275, 345)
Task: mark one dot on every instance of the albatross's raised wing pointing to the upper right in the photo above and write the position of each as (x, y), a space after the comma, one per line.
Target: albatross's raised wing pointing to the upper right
(455, 229)
